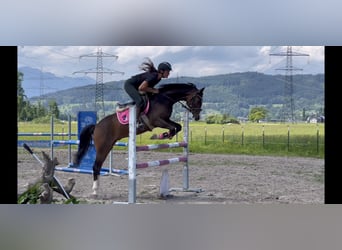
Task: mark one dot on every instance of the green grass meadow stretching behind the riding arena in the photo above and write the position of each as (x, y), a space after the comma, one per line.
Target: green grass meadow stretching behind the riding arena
(300, 139)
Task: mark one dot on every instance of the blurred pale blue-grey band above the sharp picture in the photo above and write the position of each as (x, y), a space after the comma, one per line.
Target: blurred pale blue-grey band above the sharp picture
(177, 22)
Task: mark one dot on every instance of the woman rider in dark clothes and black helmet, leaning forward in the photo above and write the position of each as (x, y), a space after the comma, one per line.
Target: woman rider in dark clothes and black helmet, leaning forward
(143, 83)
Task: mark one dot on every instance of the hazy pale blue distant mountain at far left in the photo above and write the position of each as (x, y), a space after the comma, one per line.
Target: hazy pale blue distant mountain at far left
(36, 82)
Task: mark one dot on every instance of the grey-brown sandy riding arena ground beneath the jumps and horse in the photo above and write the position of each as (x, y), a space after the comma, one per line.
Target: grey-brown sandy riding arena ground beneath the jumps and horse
(223, 179)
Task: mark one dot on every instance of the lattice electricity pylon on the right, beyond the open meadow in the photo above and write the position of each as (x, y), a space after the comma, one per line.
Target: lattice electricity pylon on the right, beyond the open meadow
(288, 104)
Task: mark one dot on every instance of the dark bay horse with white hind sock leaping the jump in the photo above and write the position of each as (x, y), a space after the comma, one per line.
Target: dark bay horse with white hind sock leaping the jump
(109, 130)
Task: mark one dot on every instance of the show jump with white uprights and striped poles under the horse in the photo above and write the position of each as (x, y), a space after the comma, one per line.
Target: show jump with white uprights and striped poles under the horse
(132, 160)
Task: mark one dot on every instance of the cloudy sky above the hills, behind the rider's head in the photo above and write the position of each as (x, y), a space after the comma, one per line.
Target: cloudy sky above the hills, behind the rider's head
(194, 61)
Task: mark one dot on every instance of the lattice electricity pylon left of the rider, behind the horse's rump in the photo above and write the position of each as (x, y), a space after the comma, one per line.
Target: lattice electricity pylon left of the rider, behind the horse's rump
(100, 70)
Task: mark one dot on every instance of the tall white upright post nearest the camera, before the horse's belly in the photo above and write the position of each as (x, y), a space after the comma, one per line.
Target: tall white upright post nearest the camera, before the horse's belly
(132, 183)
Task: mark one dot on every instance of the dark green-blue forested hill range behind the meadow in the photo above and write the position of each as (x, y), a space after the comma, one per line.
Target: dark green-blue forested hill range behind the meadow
(233, 94)
